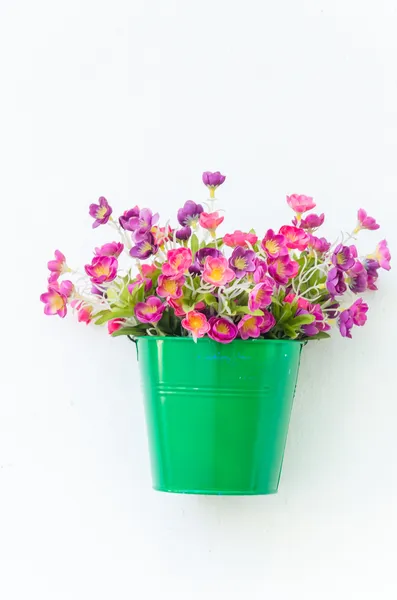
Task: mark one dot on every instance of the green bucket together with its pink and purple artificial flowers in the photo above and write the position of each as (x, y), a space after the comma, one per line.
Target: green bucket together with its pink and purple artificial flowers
(234, 310)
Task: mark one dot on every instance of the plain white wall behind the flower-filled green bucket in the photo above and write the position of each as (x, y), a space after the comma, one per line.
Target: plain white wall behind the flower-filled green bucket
(133, 100)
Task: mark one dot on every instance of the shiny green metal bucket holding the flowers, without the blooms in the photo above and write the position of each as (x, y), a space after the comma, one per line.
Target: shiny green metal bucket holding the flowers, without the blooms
(217, 414)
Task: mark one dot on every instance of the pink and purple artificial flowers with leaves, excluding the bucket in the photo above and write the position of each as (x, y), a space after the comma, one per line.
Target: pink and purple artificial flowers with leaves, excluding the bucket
(189, 280)
